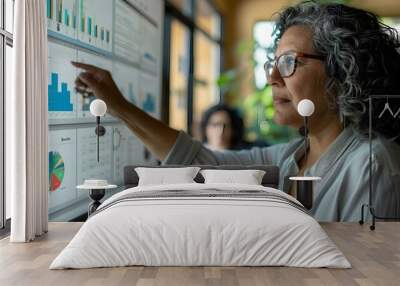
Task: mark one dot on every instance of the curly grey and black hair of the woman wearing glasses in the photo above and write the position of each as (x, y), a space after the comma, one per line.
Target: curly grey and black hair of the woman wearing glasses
(361, 56)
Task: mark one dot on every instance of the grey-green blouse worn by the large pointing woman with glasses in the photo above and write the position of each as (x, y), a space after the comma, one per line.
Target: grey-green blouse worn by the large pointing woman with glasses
(344, 169)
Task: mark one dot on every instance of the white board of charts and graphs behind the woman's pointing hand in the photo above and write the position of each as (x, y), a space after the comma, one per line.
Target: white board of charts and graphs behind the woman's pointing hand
(125, 38)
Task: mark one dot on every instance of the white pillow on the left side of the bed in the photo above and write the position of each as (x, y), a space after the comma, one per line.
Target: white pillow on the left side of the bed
(162, 176)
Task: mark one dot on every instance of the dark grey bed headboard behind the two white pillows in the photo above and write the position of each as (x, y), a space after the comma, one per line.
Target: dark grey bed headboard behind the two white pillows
(270, 179)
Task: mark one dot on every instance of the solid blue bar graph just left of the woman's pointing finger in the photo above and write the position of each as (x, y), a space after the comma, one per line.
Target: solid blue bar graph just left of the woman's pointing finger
(59, 100)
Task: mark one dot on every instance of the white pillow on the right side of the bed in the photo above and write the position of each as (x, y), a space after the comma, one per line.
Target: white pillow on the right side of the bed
(248, 177)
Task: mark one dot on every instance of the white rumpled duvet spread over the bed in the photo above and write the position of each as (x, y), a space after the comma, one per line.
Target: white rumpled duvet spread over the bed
(188, 231)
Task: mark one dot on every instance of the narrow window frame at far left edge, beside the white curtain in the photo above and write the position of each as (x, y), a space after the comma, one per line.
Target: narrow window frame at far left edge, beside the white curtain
(6, 39)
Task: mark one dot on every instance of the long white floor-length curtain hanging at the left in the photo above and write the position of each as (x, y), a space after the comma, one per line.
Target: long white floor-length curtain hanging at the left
(27, 125)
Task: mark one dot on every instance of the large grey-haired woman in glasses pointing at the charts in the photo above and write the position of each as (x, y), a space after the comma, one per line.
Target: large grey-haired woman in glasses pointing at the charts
(334, 55)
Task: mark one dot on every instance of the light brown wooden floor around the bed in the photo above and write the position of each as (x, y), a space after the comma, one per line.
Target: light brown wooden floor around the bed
(375, 256)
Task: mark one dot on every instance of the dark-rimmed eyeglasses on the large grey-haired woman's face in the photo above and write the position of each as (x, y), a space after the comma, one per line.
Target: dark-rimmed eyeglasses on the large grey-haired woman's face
(286, 63)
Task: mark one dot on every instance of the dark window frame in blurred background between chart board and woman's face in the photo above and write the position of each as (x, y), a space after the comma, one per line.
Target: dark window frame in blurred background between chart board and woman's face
(174, 13)
